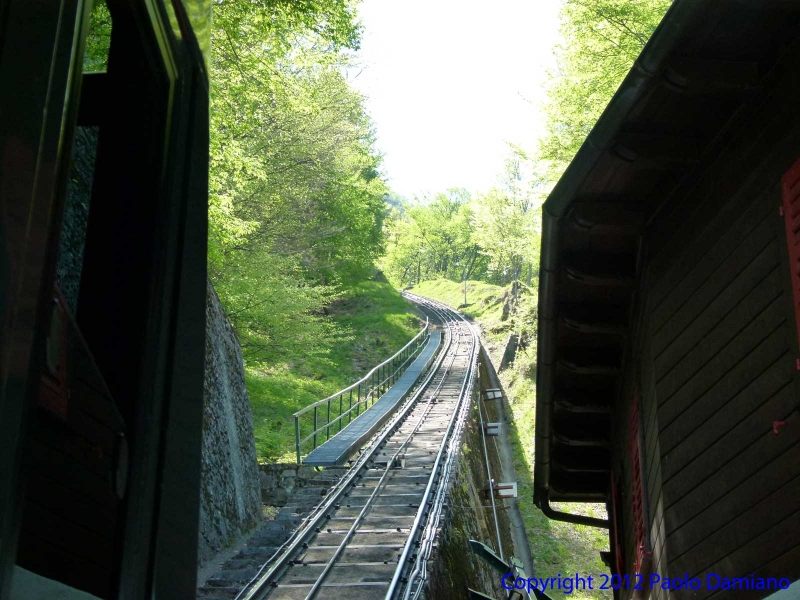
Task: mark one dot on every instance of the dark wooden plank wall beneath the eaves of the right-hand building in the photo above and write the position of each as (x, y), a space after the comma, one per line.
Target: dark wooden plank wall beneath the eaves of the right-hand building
(720, 349)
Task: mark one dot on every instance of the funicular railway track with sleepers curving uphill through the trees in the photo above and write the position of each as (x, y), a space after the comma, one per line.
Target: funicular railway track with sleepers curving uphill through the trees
(372, 535)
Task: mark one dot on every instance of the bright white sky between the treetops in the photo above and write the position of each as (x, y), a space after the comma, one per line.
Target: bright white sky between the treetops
(450, 82)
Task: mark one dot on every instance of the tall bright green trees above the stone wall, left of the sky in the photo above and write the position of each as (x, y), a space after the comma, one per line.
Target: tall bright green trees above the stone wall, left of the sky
(295, 194)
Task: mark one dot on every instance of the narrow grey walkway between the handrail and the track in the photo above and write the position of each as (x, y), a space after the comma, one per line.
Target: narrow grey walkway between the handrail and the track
(337, 450)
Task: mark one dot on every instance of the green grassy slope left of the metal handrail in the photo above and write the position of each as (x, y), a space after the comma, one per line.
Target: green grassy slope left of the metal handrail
(380, 323)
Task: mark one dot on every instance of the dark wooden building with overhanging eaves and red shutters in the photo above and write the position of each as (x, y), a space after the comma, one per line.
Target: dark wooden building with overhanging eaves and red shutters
(668, 373)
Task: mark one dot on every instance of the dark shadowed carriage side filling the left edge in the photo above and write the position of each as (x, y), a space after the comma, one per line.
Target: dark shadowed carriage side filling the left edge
(101, 387)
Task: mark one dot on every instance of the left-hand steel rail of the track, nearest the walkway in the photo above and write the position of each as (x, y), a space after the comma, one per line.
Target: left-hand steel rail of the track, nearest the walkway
(260, 584)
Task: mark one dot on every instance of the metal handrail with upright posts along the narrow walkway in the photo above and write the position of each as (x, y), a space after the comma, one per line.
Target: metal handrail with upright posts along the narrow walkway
(417, 342)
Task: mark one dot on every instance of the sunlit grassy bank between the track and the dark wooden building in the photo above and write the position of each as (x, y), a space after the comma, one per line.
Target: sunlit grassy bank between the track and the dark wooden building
(556, 547)
